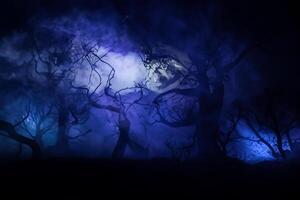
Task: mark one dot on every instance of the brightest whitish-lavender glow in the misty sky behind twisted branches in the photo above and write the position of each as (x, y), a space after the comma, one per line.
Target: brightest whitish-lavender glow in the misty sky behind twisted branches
(128, 71)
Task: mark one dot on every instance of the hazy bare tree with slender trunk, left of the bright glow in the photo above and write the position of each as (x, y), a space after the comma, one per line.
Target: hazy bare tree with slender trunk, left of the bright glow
(55, 64)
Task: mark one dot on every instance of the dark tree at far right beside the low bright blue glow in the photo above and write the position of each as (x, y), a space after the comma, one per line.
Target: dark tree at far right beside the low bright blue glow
(272, 115)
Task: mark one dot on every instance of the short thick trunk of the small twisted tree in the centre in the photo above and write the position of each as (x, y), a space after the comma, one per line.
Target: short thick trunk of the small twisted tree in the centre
(123, 140)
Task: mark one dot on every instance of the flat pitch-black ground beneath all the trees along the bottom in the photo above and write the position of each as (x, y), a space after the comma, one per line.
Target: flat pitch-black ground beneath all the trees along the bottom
(87, 178)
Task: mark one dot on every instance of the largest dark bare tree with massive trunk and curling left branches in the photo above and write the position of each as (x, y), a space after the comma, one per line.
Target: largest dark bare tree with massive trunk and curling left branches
(207, 91)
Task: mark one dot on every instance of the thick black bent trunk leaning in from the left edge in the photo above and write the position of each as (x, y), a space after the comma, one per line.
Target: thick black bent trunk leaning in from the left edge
(11, 133)
